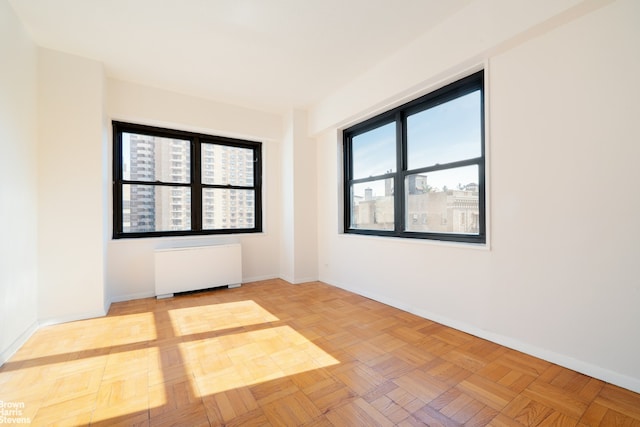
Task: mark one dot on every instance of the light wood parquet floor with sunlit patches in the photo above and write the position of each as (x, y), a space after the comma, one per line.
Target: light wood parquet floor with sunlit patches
(271, 353)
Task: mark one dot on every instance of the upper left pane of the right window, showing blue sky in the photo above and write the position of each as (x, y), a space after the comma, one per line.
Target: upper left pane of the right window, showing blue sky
(374, 152)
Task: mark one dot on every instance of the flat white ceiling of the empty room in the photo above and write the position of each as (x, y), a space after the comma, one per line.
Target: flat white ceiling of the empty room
(266, 54)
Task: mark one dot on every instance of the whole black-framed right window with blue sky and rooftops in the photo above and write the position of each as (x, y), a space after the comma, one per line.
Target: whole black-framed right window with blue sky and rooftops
(419, 170)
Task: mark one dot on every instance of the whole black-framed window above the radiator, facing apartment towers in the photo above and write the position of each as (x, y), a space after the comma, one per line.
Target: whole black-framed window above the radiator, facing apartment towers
(169, 182)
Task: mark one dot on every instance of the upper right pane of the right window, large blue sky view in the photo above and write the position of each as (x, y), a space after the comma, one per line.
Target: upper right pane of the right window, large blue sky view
(445, 133)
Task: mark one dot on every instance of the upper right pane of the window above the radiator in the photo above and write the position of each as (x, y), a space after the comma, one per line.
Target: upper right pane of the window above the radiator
(224, 165)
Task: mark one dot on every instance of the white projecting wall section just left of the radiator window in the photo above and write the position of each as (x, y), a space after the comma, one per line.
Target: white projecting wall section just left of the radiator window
(71, 167)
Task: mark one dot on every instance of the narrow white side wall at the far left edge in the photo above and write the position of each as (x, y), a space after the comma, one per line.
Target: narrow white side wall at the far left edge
(18, 184)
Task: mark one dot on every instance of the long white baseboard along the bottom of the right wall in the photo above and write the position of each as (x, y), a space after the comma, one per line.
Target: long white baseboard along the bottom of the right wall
(589, 369)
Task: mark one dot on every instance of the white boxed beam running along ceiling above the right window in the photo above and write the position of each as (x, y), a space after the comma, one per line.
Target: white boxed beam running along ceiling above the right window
(482, 28)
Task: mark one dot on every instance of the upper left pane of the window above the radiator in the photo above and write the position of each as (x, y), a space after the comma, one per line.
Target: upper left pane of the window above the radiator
(153, 158)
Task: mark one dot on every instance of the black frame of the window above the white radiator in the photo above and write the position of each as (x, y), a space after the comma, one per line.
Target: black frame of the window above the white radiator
(195, 180)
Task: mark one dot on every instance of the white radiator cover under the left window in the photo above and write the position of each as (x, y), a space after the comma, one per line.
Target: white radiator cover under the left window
(196, 268)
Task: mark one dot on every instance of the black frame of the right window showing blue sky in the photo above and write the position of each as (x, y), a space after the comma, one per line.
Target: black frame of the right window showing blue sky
(399, 116)
